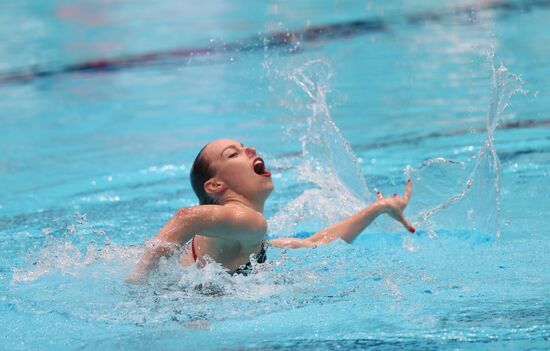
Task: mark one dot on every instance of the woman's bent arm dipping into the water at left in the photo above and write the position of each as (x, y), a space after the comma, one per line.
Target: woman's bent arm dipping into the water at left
(206, 220)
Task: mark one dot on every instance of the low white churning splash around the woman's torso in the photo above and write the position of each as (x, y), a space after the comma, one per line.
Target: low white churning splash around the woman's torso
(89, 285)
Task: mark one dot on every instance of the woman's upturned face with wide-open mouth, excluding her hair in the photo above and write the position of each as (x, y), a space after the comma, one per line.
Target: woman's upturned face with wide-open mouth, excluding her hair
(239, 169)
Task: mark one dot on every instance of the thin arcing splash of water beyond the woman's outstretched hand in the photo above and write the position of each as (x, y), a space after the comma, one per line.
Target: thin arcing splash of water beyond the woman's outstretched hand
(466, 195)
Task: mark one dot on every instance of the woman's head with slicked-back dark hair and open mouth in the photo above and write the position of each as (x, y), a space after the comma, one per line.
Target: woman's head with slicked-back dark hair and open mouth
(225, 168)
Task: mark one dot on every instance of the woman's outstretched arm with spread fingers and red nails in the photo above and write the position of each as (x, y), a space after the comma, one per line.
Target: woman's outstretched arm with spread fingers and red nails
(351, 227)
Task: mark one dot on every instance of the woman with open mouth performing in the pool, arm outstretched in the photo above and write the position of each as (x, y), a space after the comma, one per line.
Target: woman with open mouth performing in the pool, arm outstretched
(232, 184)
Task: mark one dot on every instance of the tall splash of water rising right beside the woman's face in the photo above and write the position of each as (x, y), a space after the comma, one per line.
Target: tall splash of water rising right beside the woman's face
(327, 161)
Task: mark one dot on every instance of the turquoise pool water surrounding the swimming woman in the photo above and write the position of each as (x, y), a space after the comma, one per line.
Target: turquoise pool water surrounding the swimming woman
(93, 162)
